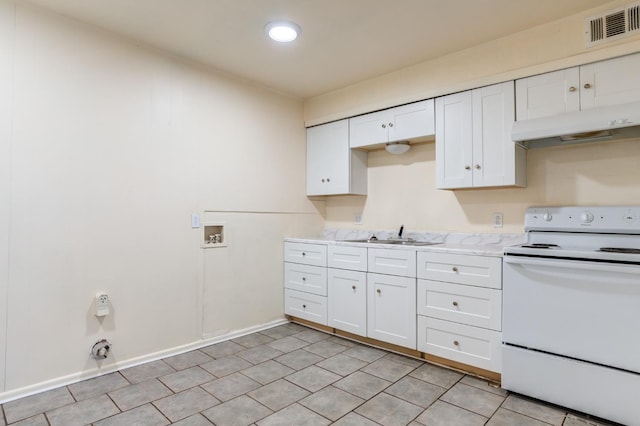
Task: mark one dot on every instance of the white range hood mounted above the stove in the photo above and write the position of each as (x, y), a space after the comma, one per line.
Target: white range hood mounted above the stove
(589, 125)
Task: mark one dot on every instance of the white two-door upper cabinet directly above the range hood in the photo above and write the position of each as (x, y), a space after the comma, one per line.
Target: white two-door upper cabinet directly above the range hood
(611, 82)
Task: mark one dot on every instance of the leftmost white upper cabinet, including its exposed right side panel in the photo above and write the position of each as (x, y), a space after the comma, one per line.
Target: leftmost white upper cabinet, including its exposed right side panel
(332, 167)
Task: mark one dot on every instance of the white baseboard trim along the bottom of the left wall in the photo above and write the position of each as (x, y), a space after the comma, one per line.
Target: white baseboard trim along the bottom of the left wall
(206, 340)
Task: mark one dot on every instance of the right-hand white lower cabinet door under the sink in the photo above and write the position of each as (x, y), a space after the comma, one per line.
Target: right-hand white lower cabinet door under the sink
(391, 315)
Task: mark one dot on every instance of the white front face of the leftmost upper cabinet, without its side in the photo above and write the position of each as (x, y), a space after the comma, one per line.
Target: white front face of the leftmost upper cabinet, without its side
(328, 158)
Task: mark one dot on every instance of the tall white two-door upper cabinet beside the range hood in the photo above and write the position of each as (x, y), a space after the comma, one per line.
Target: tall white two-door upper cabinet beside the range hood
(473, 139)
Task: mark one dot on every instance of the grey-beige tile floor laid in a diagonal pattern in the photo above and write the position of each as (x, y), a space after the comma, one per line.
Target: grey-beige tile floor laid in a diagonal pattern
(286, 375)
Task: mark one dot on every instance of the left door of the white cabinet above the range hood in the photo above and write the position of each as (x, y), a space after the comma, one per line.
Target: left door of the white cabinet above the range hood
(548, 94)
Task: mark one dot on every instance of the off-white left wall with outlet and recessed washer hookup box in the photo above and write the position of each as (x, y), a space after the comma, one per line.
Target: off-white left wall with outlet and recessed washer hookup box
(113, 146)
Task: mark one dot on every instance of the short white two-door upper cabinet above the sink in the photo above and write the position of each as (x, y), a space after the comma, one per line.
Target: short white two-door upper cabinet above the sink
(407, 122)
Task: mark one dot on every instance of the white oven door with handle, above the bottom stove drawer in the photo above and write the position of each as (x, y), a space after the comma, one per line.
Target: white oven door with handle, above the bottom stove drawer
(585, 310)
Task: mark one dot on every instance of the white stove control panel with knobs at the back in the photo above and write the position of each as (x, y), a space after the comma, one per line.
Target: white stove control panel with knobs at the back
(602, 219)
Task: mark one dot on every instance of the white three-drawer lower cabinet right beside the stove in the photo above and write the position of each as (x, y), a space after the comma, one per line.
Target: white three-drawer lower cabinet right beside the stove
(459, 306)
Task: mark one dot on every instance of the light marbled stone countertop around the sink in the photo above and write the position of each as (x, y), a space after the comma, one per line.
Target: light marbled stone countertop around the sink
(454, 243)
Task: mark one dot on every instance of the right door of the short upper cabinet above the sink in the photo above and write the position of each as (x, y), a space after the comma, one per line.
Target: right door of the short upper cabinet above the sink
(412, 121)
